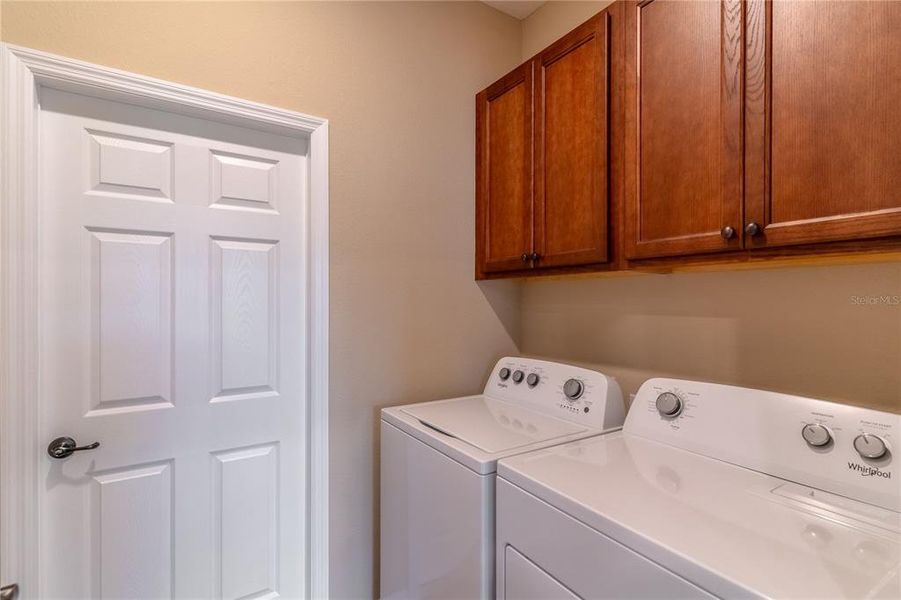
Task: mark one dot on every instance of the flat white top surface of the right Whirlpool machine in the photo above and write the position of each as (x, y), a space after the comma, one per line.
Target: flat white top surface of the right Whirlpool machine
(729, 530)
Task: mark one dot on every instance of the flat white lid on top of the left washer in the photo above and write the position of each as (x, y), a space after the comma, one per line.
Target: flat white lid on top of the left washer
(491, 425)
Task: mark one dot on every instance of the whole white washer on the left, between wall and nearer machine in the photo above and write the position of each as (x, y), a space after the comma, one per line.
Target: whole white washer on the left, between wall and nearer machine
(438, 462)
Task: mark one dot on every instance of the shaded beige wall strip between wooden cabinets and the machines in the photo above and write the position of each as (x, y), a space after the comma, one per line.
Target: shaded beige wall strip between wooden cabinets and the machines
(827, 332)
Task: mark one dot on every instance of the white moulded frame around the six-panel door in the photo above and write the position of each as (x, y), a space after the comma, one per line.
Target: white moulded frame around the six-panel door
(24, 72)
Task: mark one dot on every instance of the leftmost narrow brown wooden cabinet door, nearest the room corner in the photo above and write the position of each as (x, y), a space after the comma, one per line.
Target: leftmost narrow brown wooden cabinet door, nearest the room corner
(504, 210)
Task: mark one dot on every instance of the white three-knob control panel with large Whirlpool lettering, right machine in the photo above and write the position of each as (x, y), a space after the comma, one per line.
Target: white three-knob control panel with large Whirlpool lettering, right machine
(843, 449)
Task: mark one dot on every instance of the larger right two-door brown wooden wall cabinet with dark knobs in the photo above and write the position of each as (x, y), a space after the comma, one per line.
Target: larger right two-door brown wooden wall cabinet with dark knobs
(757, 125)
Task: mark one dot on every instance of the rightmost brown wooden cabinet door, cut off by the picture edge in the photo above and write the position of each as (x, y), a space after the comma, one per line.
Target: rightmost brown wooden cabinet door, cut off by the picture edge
(823, 149)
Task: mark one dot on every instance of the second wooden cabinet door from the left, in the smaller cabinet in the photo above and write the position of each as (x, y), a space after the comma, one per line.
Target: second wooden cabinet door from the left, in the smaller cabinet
(571, 147)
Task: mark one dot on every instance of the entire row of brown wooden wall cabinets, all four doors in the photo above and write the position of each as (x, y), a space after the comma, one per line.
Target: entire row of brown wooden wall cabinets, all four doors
(664, 134)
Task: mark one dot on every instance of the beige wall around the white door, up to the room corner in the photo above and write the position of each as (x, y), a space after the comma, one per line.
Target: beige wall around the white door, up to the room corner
(397, 82)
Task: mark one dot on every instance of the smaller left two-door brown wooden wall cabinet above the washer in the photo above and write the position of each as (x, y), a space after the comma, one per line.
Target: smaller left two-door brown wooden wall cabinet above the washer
(543, 168)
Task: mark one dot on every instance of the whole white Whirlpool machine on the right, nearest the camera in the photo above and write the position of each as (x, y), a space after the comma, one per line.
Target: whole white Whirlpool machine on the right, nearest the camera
(708, 491)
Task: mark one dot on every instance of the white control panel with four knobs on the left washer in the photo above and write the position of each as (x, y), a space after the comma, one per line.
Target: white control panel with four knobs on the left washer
(566, 391)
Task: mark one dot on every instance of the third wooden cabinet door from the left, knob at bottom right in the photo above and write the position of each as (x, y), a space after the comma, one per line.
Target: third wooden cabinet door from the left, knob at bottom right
(683, 127)
